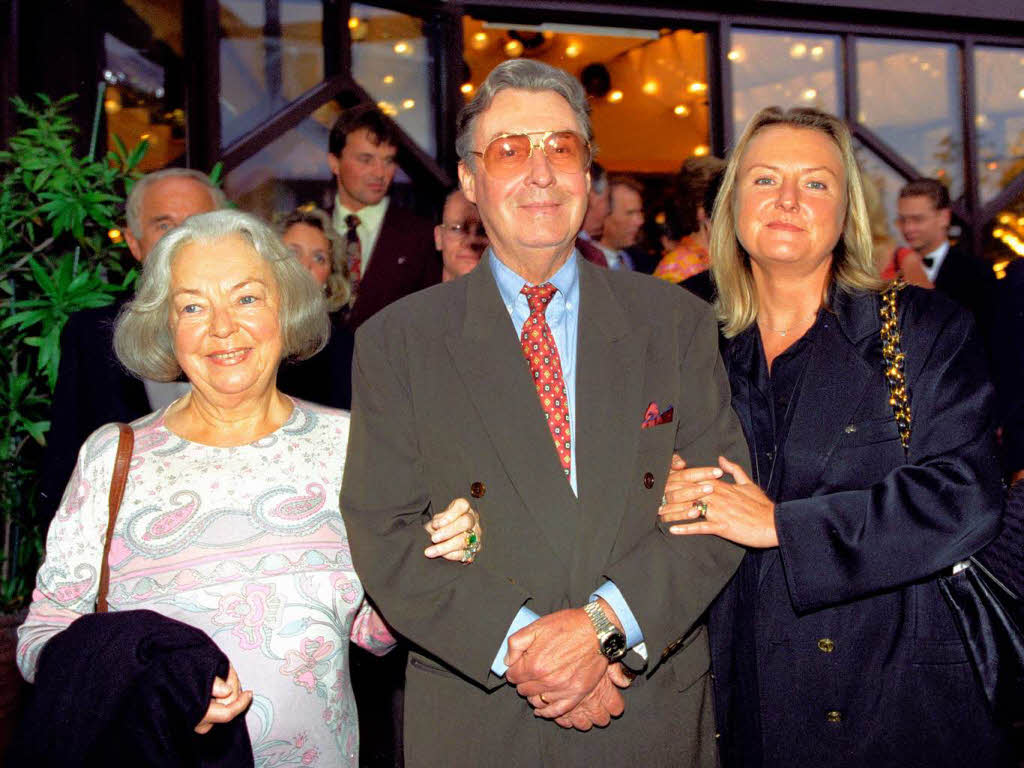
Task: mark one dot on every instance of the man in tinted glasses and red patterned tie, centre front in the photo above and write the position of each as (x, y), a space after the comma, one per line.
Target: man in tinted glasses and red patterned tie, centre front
(552, 394)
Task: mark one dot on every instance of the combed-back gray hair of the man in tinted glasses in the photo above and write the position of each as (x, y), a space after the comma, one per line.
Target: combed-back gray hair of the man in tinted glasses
(522, 74)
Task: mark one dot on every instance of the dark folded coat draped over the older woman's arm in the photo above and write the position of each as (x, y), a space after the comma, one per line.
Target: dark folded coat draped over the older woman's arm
(127, 689)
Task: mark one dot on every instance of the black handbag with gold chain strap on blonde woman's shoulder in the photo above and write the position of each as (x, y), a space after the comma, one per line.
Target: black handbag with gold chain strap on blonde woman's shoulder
(988, 614)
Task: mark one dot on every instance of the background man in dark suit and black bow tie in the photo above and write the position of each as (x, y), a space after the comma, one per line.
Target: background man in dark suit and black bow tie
(924, 219)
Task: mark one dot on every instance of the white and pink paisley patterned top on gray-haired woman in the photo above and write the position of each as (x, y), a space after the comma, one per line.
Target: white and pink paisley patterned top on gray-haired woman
(247, 544)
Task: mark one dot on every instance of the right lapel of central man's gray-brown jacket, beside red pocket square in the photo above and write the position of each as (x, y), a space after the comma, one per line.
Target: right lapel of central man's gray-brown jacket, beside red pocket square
(610, 408)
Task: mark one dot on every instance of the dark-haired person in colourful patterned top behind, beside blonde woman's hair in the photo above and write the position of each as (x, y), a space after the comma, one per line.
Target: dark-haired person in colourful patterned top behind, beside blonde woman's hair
(690, 257)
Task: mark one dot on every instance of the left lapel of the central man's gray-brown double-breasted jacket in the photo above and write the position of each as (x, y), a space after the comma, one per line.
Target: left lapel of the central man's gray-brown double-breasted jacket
(487, 355)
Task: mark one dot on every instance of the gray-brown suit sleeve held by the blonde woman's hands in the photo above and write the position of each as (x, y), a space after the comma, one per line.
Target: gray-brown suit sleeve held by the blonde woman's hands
(669, 581)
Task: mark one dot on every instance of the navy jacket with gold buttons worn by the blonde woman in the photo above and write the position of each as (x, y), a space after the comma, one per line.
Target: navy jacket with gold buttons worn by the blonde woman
(837, 649)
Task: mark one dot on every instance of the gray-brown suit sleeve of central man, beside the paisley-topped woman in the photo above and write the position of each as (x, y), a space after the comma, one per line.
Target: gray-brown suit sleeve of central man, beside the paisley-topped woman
(458, 614)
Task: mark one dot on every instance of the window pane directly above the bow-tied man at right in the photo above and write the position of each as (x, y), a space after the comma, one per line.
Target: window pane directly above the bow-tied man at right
(910, 96)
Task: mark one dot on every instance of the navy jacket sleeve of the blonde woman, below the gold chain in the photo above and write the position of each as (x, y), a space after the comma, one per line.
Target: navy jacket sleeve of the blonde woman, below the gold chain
(937, 509)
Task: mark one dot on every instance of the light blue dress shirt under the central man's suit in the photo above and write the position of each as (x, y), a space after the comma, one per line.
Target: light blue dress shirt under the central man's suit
(563, 315)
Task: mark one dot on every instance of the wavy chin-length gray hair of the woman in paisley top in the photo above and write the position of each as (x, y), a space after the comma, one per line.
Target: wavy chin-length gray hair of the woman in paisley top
(143, 338)
